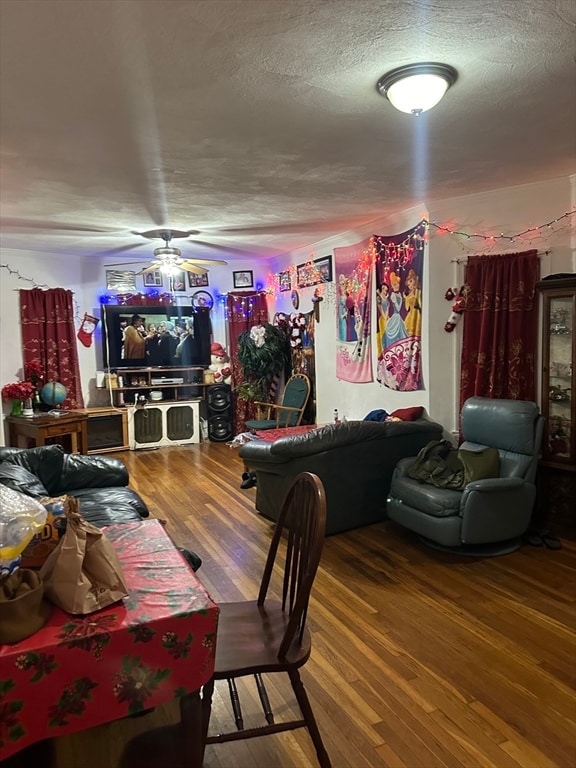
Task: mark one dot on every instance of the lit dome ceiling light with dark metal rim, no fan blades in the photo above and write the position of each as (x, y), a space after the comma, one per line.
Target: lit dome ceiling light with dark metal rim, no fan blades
(416, 88)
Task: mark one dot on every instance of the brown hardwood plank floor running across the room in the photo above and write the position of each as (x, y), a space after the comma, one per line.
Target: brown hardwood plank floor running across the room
(419, 659)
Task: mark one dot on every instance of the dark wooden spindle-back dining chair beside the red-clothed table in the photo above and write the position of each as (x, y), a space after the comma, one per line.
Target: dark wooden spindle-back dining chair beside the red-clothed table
(268, 635)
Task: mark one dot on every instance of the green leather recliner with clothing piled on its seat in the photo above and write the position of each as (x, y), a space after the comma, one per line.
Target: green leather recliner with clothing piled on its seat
(490, 515)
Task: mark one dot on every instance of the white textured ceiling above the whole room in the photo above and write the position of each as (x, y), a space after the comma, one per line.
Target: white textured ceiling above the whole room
(257, 123)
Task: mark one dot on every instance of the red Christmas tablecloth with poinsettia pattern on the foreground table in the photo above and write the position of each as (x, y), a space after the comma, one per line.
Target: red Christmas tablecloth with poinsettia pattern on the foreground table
(81, 671)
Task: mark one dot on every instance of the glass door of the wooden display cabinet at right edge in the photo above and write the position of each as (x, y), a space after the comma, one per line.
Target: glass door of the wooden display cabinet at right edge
(557, 384)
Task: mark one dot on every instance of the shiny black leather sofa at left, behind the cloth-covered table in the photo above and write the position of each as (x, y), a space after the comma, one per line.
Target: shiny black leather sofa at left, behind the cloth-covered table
(99, 482)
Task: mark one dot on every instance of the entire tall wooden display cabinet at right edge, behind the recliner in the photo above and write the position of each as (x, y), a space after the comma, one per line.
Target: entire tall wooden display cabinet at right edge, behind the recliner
(555, 508)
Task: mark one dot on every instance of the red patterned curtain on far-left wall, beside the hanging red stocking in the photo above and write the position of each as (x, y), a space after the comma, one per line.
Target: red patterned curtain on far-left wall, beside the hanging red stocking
(49, 336)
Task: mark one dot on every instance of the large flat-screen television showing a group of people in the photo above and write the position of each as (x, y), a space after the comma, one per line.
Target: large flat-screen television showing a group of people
(116, 318)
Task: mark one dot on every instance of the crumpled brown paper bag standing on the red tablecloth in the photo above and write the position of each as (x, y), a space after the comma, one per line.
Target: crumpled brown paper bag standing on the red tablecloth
(83, 574)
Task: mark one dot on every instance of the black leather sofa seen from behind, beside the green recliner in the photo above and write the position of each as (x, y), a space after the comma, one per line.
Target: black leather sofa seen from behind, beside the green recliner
(355, 461)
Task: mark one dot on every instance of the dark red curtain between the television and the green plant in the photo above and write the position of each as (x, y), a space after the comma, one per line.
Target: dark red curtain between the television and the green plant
(243, 311)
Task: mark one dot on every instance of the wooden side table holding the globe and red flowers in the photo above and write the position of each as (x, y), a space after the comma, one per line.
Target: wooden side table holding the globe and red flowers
(43, 429)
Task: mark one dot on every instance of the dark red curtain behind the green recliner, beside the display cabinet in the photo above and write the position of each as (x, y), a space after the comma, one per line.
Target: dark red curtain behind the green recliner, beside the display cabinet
(499, 345)
